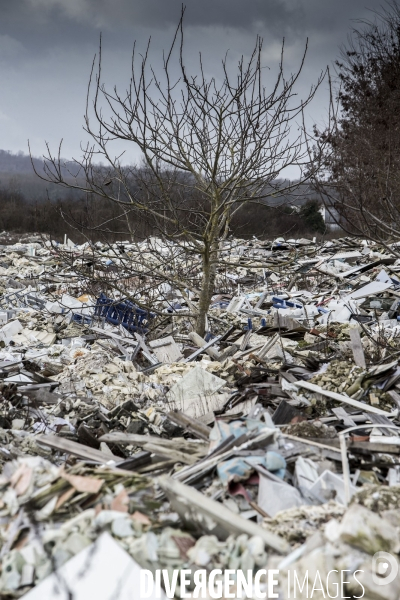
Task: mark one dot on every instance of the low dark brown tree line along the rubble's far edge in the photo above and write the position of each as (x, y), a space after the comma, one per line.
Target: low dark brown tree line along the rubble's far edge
(91, 218)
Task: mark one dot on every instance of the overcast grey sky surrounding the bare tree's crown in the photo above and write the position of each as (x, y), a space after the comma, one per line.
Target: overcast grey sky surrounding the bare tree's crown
(47, 47)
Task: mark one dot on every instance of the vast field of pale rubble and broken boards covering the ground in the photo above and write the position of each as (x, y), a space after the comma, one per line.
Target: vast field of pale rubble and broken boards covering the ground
(272, 443)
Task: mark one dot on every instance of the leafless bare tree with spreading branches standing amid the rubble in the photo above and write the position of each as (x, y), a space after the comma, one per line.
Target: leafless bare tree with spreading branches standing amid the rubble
(209, 146)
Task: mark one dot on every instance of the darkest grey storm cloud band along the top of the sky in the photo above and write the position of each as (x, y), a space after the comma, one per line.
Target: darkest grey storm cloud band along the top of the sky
(58, 20)
